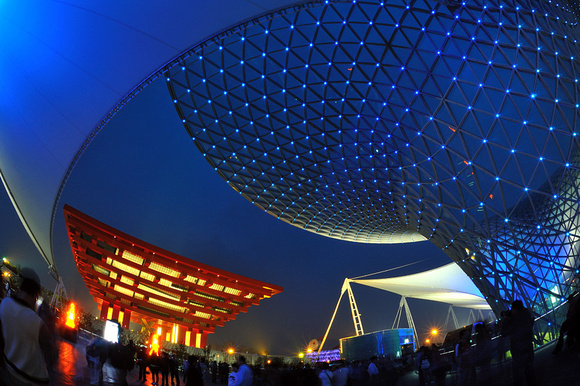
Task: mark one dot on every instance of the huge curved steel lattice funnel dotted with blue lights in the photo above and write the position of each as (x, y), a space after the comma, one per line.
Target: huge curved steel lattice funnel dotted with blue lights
(454, 122)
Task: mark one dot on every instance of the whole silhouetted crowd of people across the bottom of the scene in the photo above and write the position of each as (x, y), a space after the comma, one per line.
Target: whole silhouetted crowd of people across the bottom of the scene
(27, 344)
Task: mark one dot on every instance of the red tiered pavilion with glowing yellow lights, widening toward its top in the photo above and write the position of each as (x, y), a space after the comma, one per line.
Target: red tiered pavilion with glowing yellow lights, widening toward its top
(134, 280)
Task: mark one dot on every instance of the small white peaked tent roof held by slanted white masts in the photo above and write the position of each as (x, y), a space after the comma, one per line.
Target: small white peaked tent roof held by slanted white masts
(447, 284)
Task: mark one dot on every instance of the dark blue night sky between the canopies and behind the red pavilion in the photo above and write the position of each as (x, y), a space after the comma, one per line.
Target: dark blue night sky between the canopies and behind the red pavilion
(144, 176)
